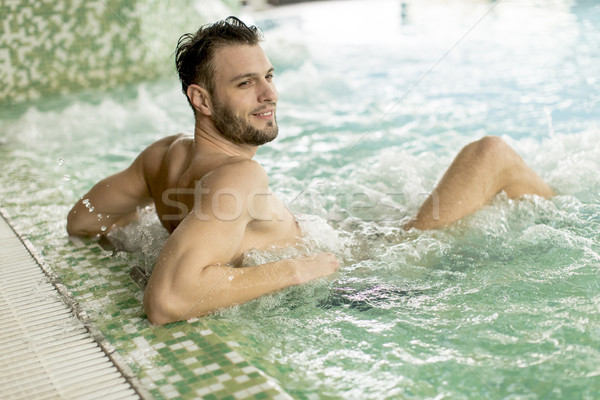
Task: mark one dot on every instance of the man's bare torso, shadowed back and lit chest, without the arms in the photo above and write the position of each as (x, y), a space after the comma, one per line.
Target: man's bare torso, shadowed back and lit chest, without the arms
(172, 181)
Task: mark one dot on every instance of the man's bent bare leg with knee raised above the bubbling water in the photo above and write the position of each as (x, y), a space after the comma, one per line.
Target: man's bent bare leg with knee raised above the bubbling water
(481, 170)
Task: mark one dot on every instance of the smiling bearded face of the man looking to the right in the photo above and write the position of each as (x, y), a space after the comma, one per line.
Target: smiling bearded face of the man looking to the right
(245, 98)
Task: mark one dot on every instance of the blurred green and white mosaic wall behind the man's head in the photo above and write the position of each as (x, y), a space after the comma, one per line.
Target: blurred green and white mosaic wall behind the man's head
(49, 48)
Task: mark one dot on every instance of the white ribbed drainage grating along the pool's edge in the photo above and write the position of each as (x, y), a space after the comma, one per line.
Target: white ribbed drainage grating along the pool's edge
(32, 314)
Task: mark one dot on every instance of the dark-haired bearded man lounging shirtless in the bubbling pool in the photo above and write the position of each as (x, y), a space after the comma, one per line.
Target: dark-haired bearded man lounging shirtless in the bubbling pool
(215, 200)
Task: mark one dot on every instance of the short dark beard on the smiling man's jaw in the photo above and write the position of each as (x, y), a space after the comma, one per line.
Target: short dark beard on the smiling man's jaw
(238, 130)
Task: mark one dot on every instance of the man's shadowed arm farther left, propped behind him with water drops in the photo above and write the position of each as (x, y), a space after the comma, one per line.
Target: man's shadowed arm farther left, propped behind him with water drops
(113, 201)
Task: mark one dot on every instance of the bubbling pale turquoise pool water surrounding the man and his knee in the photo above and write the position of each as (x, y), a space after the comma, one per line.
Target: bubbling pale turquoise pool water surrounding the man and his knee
(504, 304)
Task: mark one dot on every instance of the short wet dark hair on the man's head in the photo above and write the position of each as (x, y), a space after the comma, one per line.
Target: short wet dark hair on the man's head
(195, 52)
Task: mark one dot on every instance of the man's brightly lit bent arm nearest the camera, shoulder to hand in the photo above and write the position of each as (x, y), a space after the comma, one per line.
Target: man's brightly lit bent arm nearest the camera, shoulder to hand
(191, 277)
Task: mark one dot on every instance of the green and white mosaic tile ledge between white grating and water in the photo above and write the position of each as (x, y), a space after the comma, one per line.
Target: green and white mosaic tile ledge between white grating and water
(185, 360)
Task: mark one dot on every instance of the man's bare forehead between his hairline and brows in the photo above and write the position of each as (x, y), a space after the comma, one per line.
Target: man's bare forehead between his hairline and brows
(231, 61)
